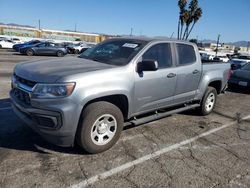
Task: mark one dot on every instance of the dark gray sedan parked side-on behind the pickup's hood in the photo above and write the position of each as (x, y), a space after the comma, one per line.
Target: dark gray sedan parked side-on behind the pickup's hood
(44, 48)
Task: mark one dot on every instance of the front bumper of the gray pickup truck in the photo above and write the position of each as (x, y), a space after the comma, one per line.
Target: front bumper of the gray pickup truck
(57, 126)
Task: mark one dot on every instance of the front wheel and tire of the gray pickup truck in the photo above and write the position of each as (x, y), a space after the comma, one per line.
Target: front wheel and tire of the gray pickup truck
(92, 127)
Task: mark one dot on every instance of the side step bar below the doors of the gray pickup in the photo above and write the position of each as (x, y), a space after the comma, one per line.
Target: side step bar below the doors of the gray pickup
(161, 115)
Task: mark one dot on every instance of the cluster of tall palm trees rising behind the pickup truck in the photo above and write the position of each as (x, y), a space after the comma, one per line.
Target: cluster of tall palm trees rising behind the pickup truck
(187, 17)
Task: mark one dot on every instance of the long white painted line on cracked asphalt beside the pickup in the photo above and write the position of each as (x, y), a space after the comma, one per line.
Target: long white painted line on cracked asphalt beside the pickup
(140, 160)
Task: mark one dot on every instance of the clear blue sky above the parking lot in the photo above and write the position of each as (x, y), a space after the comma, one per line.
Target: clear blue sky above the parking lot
(229, 18)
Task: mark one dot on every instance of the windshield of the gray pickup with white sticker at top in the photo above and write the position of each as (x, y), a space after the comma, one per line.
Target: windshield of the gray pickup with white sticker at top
(115, 52)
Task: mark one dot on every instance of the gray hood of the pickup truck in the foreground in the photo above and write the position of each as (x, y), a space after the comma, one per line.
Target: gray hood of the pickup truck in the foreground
(51, 70)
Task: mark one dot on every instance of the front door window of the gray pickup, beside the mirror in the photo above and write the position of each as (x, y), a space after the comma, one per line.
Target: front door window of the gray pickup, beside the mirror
(161, 53)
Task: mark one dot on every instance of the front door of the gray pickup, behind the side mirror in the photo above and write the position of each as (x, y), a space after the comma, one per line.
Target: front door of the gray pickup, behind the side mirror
(155, 89)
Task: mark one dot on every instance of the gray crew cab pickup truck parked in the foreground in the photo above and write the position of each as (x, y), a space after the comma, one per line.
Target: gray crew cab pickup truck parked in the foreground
(87, 99)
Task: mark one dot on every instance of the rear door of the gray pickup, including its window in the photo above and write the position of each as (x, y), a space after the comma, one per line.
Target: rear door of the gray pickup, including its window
(188, 73)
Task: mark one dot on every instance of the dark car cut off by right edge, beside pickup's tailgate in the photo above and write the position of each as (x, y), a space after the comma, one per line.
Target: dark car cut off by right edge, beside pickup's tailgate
(240, 77)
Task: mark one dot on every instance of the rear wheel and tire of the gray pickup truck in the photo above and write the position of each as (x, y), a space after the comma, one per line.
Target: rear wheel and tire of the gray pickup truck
(206, 107)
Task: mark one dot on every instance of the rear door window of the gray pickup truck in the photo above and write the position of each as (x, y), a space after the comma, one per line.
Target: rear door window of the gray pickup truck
(186, 54)
